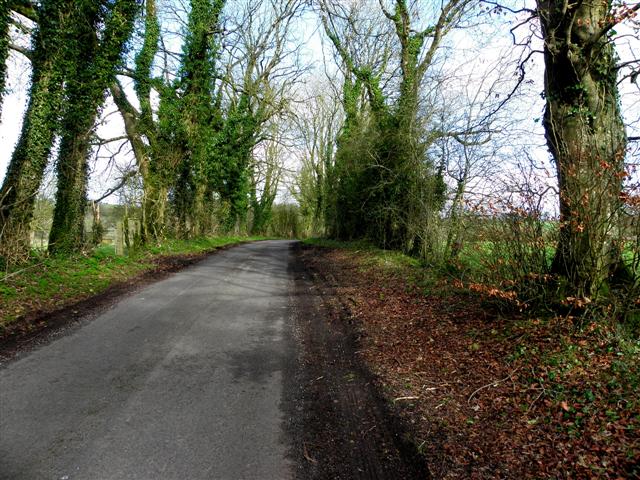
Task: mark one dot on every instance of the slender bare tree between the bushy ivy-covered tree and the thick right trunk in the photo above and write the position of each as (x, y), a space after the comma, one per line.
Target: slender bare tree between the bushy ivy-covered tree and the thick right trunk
(474, 104)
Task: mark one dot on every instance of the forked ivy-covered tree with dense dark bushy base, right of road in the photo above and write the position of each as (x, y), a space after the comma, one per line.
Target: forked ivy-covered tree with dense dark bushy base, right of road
(394, 189)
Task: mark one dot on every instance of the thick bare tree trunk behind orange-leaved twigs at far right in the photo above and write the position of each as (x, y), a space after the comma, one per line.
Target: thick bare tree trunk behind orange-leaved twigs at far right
(586, 135)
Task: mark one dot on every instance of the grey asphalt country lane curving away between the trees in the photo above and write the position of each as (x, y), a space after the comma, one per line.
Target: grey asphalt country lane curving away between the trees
(183, 380)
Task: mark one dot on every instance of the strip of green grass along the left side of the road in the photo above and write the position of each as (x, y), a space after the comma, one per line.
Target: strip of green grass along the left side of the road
(47, 283)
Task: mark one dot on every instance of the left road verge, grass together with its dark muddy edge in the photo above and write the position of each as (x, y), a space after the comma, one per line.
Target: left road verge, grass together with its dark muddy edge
(50, 294)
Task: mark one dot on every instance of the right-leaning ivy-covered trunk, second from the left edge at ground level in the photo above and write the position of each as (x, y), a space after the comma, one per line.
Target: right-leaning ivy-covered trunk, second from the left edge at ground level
(99, 43)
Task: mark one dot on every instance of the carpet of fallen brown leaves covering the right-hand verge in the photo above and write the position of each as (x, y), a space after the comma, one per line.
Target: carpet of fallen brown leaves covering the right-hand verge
(488, 396)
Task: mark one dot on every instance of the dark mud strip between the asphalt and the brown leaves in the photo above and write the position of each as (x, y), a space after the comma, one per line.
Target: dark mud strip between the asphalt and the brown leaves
(346, 430)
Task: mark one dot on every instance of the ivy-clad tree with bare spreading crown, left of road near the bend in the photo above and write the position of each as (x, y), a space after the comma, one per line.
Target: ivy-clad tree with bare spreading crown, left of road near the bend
(268, 69)
